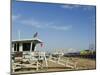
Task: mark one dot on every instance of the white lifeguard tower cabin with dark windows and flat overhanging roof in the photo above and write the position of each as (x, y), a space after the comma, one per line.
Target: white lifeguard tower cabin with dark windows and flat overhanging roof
(25, 45)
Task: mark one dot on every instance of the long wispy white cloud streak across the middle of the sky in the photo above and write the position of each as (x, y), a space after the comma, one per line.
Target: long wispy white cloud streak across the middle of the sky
(44, 25)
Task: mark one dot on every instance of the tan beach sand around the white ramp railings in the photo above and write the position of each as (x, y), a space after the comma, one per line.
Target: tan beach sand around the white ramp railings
(83, 64)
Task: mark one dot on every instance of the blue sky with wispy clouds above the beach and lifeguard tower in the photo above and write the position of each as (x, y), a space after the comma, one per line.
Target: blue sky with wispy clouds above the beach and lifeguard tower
(60, 26)
